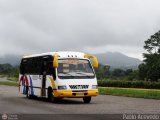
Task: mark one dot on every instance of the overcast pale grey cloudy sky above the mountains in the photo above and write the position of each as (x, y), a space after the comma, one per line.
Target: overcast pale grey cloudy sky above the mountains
(93, 26)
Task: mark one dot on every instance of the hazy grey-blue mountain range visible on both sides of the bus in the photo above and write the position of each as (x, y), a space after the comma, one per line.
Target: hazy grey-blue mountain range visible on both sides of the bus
(113, 59)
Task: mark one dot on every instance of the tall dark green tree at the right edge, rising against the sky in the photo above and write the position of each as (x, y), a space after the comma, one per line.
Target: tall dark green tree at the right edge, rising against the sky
(150, 69)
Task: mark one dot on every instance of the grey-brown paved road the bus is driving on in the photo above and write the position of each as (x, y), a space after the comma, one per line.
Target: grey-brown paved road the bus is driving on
(11, 101)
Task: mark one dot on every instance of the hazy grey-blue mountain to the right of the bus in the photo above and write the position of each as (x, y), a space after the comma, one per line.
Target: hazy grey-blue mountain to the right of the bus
(118, 60)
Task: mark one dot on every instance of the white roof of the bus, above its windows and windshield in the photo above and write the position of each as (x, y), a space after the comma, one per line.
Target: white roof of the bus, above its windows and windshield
(61, 54)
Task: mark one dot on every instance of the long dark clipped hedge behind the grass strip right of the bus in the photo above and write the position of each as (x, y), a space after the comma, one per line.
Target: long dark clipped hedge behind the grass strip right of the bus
(129, 84)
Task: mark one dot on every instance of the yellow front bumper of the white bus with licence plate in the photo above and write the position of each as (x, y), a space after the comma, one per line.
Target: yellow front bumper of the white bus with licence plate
(69, 93)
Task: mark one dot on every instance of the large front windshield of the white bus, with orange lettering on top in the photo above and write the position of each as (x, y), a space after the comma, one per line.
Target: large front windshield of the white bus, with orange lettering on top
(75, 68)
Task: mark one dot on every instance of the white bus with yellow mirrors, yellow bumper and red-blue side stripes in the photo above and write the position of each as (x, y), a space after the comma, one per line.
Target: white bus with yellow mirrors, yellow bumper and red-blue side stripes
(57, 75)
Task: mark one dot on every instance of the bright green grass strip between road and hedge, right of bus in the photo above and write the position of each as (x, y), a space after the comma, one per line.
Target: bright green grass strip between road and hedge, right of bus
(130, 92)
